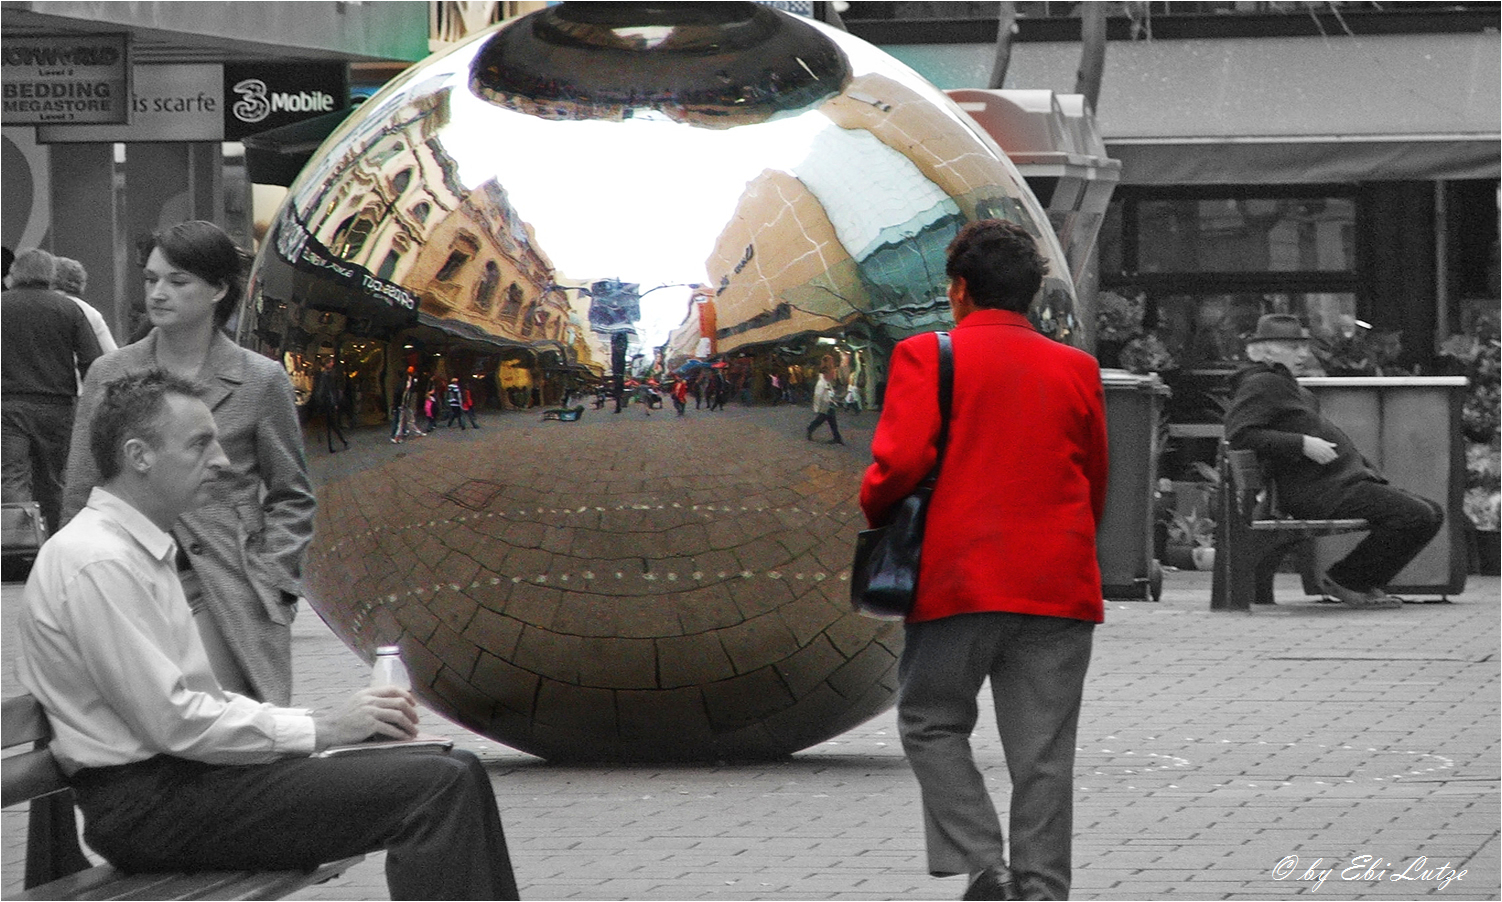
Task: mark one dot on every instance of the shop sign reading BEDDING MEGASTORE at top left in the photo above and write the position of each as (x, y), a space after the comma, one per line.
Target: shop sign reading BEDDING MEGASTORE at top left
(56, 79)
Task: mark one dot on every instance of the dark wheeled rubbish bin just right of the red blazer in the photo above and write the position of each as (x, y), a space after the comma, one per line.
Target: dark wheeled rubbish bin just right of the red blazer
(1124, 538)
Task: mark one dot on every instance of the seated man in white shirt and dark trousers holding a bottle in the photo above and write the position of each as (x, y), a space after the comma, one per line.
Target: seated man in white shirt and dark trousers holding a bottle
(173, 772)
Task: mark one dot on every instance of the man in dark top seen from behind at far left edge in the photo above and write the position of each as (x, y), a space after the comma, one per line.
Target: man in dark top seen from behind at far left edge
(46, 349)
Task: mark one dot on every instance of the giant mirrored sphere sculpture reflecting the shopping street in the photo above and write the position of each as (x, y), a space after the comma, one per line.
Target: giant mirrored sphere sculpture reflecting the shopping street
(556, 221)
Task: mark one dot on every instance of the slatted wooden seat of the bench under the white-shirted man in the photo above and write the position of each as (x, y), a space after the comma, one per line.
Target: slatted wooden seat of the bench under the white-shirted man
(109, 883)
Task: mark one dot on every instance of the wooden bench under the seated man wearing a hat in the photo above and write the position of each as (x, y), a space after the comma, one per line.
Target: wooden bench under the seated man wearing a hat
(1253, 537)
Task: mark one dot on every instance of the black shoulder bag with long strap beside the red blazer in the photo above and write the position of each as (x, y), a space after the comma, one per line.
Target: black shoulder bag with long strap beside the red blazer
(884, 579)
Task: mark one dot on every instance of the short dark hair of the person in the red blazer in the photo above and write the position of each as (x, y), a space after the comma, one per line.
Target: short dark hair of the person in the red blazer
(1000, 263)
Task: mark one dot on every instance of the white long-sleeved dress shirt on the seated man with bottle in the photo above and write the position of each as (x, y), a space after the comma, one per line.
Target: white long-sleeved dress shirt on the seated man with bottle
(112, 652)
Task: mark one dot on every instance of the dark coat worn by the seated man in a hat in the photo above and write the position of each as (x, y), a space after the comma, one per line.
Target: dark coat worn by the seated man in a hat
(1271, 413)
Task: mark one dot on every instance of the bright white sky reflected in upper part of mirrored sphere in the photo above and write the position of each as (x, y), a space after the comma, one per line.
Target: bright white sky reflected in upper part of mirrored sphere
(615, 200)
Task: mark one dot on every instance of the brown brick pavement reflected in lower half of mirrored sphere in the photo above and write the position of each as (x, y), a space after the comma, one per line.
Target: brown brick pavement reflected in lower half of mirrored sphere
(626, 586)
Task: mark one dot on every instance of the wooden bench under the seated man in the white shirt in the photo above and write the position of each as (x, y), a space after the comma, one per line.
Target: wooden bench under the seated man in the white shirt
(56, 867)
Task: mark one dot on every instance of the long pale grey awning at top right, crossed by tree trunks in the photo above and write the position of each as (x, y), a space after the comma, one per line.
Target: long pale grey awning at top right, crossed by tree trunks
(1273, 110)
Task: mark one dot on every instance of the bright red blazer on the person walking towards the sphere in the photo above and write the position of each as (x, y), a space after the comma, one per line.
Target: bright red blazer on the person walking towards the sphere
(1012, 523)
